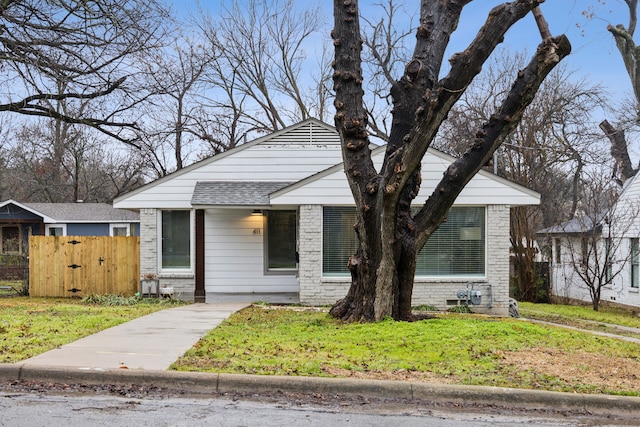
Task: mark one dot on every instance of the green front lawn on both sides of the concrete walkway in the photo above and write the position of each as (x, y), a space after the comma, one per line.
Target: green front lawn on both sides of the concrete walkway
(449, 348)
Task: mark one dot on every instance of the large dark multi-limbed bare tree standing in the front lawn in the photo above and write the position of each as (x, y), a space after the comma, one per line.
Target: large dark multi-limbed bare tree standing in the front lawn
(383, 268)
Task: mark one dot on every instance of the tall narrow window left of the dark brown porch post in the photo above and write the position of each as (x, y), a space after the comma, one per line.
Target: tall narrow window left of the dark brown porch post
(176, 239)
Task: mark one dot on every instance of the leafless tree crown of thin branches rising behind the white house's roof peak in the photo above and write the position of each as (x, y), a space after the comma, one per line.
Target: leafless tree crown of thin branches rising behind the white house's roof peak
(260, 50)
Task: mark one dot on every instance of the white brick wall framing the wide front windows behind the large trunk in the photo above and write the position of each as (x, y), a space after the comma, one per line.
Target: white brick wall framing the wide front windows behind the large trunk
(315, 290)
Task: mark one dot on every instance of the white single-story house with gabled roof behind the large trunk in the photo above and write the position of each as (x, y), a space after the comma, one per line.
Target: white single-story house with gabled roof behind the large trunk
(272, 220)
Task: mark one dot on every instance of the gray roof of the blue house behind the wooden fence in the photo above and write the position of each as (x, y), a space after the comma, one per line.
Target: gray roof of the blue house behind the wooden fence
(83, 212)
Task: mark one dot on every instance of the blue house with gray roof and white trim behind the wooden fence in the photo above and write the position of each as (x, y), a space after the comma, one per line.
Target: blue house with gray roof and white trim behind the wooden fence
(18, 221)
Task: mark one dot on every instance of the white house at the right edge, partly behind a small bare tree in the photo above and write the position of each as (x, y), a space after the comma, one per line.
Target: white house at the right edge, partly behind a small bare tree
(613, 236)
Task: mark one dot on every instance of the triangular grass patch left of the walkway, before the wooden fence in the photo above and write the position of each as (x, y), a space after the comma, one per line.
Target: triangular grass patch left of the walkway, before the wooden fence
(30, 326)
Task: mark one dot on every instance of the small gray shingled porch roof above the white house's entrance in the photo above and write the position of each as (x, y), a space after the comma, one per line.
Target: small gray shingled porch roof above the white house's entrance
(235, 193)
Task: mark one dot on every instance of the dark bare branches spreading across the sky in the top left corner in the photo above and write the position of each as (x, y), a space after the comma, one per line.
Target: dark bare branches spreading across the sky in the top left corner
(90, 46)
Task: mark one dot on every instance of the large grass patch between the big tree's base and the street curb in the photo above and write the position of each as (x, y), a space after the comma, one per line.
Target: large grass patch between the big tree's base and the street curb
(462, 349)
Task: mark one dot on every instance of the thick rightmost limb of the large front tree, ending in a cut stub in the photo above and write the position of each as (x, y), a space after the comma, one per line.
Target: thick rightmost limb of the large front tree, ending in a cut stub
(491, 135)
